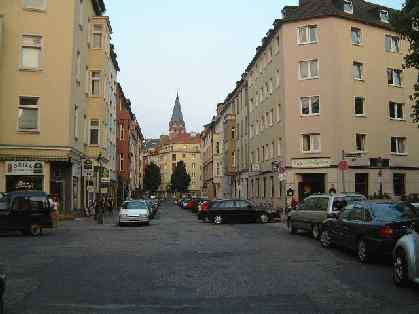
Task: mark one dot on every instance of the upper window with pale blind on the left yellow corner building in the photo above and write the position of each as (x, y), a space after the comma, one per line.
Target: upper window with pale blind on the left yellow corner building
(31, 52)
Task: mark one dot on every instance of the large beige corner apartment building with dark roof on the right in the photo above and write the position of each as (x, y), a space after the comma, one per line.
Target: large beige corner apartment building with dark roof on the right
(327, 84)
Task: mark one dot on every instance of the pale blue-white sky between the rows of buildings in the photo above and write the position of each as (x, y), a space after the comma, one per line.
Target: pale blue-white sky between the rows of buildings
(200, 48)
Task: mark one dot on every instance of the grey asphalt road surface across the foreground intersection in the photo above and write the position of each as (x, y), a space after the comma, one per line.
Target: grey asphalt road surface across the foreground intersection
(180, 265)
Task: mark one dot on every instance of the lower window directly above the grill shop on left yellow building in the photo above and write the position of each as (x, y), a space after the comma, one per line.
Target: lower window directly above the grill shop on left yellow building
(28, 114)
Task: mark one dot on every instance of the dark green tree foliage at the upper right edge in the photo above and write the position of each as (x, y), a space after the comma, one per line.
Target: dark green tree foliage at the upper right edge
(406, 22)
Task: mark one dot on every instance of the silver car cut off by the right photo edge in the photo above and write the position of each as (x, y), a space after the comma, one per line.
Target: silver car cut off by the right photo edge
(406, 258)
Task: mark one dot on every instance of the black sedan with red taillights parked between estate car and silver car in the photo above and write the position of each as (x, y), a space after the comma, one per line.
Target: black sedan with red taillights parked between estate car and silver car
(369, 228)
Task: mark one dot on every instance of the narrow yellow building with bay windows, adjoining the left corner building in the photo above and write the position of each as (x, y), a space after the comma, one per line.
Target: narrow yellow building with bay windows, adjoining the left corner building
(101, 89)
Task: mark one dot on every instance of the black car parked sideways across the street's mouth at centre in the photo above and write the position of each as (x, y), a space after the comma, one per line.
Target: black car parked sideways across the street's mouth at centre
(234, 210)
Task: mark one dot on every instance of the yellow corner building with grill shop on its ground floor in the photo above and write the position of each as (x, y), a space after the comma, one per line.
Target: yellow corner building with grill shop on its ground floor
(43, 102)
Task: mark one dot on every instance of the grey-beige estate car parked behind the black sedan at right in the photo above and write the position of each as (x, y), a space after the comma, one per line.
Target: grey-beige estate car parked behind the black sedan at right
(310, 214)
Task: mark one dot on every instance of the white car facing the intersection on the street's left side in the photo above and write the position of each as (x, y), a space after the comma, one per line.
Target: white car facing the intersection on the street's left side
(134, 212)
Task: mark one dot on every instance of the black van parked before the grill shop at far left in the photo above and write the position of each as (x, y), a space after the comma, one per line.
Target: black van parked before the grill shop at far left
(28, 211)
